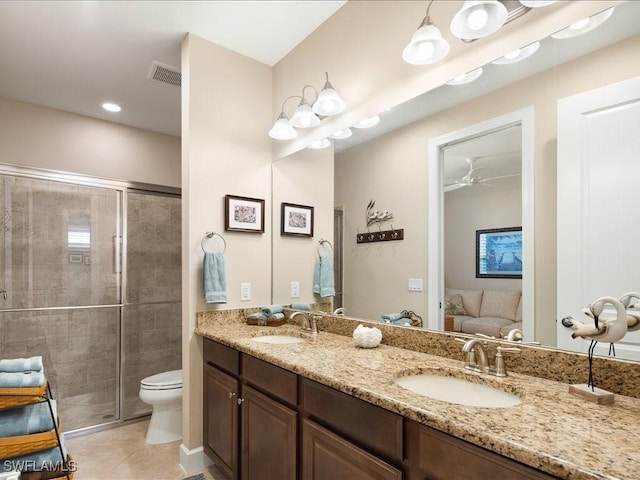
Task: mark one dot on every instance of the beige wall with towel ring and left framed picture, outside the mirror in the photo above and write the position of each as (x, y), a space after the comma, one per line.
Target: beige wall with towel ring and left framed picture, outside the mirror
(226, 114)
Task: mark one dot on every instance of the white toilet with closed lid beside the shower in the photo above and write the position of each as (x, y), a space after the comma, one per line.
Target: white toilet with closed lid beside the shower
(164, 393)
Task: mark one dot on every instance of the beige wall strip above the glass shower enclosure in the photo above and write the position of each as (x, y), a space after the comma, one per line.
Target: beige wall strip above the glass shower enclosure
(41, 137)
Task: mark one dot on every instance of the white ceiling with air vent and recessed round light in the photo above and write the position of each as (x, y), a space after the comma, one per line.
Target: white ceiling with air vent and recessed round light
(73, 55)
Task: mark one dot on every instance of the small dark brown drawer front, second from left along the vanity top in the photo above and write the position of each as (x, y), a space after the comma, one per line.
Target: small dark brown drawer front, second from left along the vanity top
(271, 379)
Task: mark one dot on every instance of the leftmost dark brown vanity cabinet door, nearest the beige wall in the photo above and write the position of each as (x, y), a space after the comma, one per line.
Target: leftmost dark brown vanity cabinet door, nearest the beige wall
(220, 427)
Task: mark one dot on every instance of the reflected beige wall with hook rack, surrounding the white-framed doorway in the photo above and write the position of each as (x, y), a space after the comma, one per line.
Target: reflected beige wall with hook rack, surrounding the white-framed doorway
(402, 156)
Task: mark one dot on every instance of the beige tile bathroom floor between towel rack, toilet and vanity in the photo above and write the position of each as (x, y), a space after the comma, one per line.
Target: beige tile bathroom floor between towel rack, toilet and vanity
(122, 454)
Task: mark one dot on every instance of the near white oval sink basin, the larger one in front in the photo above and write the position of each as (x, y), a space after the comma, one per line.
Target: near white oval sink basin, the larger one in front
(458, 391)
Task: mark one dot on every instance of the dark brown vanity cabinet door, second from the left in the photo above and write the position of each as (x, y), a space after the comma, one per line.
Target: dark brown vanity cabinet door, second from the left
(269, 438)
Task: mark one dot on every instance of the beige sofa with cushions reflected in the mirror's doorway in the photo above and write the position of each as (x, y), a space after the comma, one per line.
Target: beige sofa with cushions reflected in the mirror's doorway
(488, 312)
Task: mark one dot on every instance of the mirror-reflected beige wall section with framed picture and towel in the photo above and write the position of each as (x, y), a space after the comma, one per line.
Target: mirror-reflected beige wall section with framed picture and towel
(304, 178)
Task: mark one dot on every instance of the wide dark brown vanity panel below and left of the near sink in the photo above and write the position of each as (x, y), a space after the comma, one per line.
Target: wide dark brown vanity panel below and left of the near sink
(368, 425)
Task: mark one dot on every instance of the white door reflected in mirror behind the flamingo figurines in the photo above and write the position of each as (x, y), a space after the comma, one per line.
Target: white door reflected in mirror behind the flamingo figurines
(598, 205)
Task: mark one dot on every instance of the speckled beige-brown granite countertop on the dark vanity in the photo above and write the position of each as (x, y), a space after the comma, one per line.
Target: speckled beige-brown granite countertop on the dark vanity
(551, 430)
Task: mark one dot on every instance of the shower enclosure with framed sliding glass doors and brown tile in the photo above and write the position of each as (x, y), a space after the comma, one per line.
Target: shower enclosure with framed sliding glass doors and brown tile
(90, 279)
